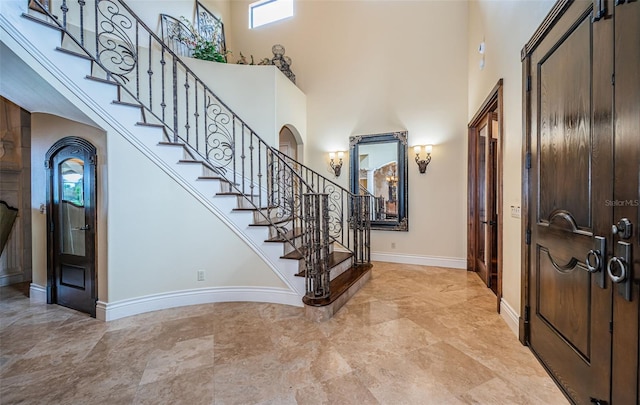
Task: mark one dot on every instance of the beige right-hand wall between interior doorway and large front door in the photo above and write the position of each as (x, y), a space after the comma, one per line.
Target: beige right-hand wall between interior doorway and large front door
(504, 26)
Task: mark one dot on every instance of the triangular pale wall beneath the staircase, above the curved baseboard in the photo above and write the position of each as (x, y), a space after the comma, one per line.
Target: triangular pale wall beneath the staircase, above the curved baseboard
(160, 235)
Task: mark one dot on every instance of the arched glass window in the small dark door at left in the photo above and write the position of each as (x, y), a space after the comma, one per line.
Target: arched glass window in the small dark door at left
(72, 208)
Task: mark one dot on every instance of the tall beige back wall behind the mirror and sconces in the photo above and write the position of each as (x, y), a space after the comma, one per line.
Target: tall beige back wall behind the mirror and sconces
(376, 66)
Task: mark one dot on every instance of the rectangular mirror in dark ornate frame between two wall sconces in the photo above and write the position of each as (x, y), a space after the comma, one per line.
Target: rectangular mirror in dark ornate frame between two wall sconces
(378, 169)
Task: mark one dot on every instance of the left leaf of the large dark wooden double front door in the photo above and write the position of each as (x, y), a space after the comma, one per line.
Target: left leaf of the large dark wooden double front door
(571, 180)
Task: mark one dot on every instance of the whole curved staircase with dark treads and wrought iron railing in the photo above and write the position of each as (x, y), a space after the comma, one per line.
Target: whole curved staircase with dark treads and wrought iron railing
(313, 233)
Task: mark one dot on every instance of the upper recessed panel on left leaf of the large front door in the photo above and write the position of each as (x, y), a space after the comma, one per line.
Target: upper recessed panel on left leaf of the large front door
(564, 135)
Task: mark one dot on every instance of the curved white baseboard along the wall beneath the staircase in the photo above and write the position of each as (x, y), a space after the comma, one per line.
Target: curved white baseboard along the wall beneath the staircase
(109, 311)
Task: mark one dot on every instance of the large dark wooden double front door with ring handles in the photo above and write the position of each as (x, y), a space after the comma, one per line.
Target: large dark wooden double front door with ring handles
(583, 177)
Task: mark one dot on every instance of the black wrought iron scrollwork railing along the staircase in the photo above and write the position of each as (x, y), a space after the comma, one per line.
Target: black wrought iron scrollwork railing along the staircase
(149, 73)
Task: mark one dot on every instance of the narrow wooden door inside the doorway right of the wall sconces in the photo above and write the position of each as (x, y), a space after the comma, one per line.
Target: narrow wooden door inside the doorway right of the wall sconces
(487, 219)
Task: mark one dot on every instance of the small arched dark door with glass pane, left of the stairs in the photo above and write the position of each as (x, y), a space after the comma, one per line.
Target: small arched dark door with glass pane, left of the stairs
(72, 225)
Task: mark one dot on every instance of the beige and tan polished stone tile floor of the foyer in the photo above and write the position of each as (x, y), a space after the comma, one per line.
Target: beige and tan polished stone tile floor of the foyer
(412, 335)
